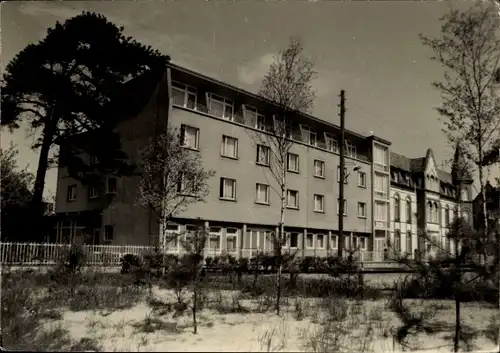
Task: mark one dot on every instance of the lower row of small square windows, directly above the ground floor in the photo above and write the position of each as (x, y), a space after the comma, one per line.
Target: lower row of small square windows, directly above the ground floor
(263, 191)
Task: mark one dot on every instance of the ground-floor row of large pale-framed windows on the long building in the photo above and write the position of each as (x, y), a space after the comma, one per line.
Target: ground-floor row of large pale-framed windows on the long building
(260, 239)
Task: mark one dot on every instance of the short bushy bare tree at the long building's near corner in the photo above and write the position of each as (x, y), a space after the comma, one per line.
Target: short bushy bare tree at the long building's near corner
(172, 178)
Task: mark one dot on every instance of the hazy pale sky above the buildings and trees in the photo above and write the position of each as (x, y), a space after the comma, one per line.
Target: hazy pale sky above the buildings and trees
(369, 49)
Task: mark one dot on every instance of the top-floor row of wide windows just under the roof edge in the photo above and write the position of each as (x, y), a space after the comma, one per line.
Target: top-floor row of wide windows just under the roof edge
(186, 96)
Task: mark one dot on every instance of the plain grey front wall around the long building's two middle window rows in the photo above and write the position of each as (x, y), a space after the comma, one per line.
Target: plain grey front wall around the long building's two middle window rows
(247, 173)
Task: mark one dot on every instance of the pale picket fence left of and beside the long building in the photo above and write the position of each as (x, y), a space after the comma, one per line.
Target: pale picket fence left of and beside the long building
(33, 254)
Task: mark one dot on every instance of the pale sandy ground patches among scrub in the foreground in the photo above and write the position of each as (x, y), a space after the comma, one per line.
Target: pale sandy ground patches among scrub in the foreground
(125, 330)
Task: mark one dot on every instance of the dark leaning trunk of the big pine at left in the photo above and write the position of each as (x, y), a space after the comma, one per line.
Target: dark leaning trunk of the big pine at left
(43, 163)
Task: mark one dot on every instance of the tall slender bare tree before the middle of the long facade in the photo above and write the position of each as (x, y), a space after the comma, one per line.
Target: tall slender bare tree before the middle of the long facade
(288, 85)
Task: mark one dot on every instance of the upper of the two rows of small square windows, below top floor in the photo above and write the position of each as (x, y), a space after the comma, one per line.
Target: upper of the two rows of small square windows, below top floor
(229, 149)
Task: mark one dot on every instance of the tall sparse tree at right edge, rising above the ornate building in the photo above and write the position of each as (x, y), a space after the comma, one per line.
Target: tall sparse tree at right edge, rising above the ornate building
(469, 51)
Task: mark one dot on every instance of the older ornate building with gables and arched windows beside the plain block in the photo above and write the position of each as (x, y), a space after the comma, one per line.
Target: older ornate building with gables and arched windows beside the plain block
(424, 204)
